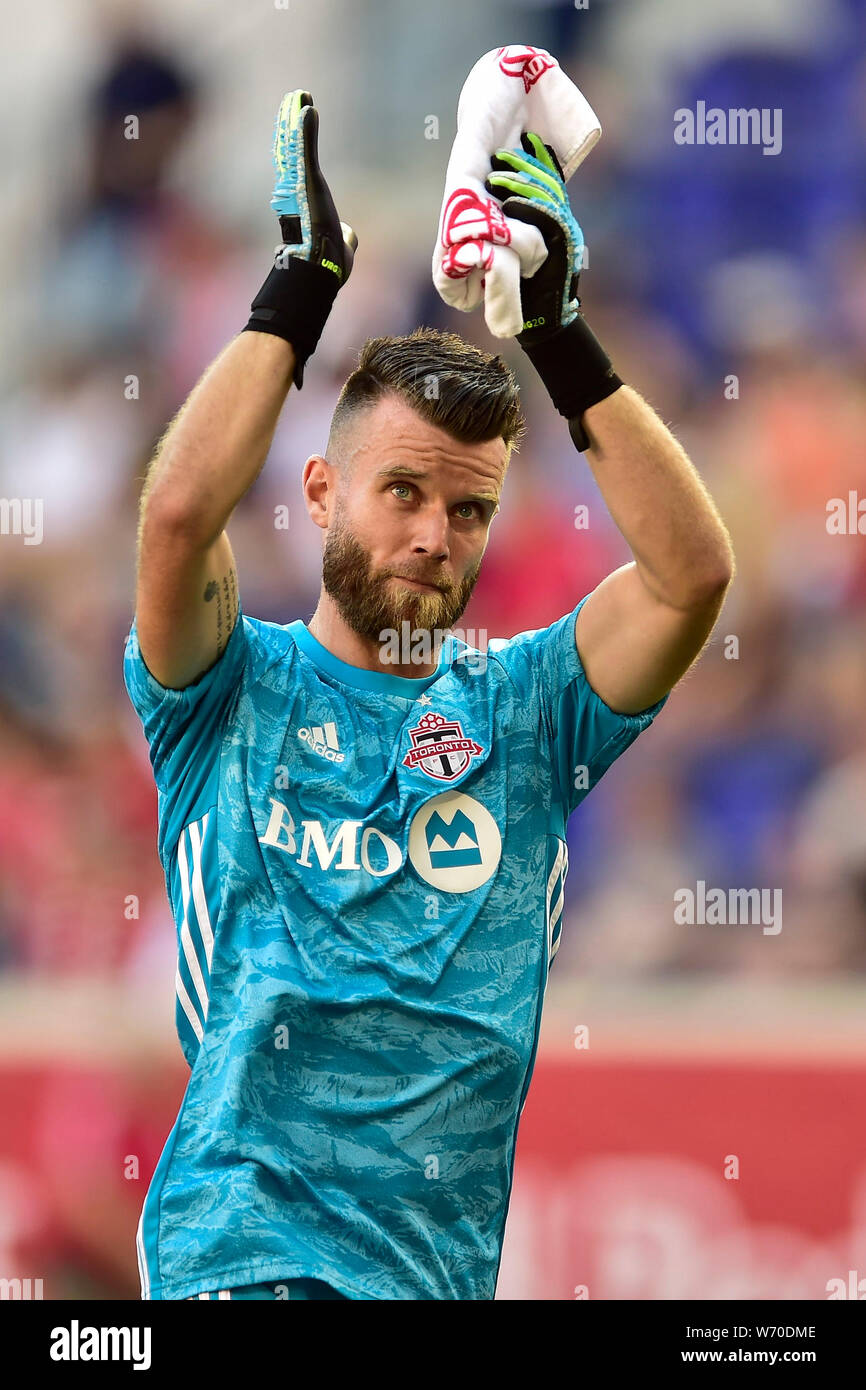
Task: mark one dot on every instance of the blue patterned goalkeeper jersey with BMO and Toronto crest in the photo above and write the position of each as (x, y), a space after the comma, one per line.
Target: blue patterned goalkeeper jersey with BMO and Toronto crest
(366, 874)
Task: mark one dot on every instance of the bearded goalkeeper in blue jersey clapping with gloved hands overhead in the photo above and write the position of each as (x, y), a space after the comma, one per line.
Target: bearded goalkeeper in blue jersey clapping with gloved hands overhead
(366, 860)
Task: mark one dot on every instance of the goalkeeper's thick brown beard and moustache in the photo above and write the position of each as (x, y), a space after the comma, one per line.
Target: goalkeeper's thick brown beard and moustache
(370, 605)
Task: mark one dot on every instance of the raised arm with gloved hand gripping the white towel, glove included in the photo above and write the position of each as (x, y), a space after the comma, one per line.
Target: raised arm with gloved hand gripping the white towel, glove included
(644, 626)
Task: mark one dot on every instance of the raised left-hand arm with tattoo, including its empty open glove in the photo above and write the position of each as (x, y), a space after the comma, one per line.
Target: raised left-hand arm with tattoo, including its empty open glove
(187, 587)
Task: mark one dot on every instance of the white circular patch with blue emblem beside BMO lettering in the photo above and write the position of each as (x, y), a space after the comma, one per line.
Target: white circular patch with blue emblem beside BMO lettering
(455, 843)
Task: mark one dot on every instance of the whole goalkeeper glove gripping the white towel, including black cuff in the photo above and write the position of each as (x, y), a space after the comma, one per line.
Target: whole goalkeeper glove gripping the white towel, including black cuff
(555, 337)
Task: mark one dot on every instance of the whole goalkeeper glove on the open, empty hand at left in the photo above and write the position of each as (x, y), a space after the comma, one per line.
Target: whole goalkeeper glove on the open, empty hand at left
(318, 248)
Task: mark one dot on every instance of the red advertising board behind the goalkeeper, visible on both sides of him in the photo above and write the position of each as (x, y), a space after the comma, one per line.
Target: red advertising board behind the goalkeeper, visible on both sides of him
(651, 1181)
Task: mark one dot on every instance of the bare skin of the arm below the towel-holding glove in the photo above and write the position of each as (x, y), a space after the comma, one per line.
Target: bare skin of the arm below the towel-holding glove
(644, 626)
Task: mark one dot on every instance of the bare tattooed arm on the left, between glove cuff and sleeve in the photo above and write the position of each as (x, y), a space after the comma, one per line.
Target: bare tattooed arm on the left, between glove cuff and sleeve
(187, 587)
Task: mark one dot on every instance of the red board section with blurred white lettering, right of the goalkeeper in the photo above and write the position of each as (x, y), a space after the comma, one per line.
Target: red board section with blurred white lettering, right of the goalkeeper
(673, 1179)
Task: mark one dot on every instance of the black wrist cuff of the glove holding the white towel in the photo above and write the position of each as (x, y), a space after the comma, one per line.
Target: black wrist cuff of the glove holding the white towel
(576, 372)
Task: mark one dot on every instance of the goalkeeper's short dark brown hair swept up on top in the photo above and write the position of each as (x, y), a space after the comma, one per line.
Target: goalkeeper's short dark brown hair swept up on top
(469, 393)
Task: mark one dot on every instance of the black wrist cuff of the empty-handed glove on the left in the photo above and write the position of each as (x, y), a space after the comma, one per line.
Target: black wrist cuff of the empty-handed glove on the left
(294, 304)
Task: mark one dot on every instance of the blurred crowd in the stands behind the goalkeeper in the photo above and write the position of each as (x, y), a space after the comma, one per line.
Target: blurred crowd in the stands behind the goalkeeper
(729, 288)
